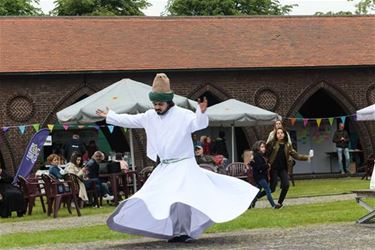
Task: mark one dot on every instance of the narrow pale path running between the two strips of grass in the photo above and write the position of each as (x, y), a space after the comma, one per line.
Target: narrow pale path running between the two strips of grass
(90, 220)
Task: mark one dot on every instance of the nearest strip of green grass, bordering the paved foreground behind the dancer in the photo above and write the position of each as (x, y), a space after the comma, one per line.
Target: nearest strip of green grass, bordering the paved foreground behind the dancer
(290, 216)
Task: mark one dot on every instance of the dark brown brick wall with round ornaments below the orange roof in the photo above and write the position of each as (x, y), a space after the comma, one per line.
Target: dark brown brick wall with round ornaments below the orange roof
(28, 99)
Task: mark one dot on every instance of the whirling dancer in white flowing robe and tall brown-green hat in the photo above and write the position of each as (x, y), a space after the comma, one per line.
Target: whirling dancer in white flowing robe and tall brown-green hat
(179, 200)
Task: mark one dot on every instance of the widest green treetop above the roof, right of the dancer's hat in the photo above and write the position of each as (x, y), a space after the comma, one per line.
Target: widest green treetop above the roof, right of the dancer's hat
(226, 7)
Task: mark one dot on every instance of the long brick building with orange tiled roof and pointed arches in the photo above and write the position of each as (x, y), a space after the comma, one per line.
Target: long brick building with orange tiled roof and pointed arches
(314, 66)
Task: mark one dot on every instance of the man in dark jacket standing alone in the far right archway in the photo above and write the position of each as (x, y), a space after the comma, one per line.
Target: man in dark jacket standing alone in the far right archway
(341, 138)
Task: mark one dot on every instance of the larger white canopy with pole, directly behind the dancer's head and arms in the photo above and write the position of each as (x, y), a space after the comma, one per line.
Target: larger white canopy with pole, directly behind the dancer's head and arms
(124, 97)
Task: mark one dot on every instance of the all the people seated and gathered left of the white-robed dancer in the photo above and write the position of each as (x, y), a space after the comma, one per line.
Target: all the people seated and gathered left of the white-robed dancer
(83, 161)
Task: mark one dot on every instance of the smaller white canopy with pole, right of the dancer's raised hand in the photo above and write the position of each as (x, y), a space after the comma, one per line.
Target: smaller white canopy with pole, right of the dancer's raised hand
(233, 113)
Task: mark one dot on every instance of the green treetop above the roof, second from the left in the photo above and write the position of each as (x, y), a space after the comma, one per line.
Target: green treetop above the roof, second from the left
(100, 7)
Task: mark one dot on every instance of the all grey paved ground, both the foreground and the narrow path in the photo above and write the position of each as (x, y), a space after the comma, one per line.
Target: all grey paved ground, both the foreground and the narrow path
(330, 236)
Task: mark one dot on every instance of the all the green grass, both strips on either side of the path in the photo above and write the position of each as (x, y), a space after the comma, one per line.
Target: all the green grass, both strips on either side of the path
(290, 216)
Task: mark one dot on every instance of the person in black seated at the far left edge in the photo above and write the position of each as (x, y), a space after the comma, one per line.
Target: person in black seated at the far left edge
(11, 198)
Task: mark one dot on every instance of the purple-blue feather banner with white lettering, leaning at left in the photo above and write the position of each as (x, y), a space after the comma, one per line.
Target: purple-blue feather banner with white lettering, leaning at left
(31, 153)
